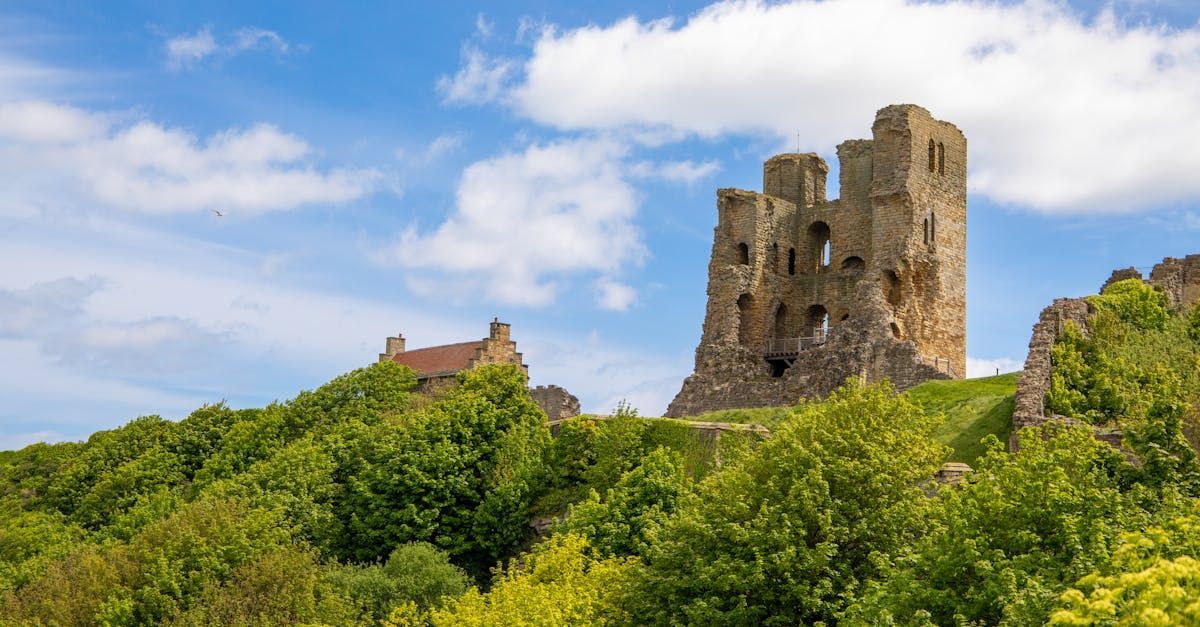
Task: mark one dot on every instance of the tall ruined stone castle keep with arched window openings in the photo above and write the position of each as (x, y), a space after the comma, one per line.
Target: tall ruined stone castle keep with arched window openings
(805, 292)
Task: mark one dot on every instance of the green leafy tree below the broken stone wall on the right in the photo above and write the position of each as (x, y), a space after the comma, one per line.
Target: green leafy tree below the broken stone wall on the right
(1013, 538)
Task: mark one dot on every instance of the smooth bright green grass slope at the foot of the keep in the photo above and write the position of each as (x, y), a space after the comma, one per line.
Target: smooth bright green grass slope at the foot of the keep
(971, 409)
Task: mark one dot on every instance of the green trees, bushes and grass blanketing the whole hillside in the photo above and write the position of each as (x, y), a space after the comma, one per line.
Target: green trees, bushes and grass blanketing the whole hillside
(363, 503)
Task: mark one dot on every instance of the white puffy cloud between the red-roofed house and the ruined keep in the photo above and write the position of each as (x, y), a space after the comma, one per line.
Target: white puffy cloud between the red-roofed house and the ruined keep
(526, 220)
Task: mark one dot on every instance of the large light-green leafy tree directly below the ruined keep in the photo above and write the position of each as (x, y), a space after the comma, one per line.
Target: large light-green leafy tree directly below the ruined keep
(790, 534)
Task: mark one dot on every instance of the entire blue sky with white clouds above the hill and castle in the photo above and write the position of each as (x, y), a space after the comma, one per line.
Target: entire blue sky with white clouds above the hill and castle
(387, 169)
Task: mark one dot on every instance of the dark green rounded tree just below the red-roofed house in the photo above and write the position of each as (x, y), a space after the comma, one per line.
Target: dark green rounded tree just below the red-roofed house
(460, 475)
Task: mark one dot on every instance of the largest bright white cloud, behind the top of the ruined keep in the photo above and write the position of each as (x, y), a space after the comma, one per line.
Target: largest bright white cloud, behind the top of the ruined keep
(1064, 115)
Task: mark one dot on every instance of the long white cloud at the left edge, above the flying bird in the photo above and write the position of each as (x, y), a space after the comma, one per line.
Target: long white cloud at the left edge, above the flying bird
(53, 157)
